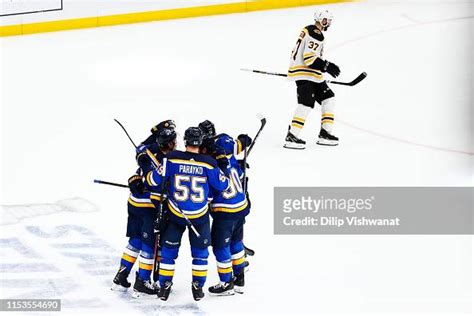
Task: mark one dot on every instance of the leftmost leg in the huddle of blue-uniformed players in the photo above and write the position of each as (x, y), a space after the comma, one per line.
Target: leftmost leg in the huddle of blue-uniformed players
(130, 252)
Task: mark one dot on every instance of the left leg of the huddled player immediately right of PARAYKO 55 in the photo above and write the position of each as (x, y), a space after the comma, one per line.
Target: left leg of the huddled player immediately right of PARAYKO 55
(221, 233)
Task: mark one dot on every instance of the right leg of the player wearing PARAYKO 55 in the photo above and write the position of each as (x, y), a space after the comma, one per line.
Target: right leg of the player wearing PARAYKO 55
(200, 254)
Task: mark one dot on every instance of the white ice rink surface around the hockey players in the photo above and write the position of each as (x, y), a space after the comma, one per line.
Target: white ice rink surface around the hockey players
(408, 124)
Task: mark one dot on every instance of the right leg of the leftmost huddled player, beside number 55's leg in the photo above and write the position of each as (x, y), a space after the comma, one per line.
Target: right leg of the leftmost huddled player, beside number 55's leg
(143, 284)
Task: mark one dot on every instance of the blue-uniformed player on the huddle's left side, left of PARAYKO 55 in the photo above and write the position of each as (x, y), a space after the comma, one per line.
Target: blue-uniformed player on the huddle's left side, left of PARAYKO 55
(141, 217)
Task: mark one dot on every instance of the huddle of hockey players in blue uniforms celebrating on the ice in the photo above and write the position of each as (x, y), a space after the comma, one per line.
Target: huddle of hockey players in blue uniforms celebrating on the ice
(173, 190)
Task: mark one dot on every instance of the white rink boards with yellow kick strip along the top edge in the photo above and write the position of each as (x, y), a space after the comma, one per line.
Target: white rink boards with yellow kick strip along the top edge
(77, 17)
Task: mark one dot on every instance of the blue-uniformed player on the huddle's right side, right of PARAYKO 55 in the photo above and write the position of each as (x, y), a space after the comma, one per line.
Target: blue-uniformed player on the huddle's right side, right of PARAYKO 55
(228, 209)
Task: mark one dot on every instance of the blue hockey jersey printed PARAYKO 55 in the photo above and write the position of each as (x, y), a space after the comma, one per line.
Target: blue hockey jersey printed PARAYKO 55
(191, 177)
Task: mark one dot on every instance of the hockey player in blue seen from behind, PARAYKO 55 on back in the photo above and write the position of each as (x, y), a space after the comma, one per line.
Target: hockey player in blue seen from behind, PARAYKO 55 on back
(191, 176)
